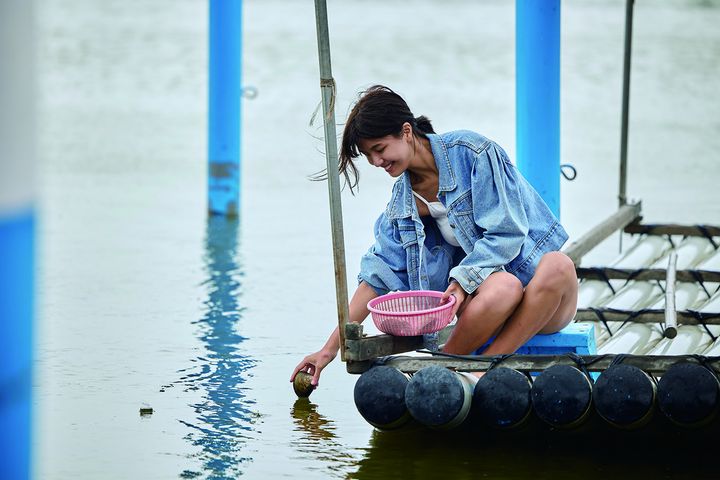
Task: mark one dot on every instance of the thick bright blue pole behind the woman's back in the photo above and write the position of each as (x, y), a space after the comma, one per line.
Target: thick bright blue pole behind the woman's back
(537, 57)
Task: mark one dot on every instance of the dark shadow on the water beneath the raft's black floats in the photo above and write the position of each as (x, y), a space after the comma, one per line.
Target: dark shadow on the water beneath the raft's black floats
(416, 452)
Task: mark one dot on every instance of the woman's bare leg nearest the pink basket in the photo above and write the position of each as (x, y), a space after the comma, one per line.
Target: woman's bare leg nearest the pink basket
(484, 313)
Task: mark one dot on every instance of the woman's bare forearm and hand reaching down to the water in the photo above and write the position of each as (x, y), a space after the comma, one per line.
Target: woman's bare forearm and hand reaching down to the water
(316, 362)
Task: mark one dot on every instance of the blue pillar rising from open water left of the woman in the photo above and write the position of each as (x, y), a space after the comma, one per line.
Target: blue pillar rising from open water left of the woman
(224, 102)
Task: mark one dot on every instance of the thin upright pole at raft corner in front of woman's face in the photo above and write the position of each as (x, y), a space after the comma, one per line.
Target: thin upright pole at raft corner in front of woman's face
(327, 87)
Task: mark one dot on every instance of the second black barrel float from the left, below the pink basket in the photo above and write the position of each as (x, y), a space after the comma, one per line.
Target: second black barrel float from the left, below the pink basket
(438, 397)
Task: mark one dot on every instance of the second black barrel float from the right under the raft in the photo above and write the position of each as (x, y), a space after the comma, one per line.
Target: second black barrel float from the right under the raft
(624, 396)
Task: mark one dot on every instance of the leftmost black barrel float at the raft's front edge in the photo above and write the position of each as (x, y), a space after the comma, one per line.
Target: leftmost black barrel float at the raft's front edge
(380, 397)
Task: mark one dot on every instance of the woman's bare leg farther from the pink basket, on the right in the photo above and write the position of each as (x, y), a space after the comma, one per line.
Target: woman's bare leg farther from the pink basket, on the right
(548, 305)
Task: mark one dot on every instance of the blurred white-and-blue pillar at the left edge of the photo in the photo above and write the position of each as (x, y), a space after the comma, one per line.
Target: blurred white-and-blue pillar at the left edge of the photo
(17, 139)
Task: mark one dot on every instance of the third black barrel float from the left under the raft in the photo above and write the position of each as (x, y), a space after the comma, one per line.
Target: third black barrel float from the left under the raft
(502, 398)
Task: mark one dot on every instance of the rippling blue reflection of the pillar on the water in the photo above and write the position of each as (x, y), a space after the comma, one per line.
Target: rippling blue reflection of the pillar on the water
(224, 417)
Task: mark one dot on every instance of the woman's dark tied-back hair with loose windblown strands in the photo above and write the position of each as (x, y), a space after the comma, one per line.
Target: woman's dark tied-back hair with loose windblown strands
(377, 113)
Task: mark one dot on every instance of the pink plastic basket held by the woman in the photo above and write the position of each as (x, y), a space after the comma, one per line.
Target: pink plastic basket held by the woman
(406, 314)
